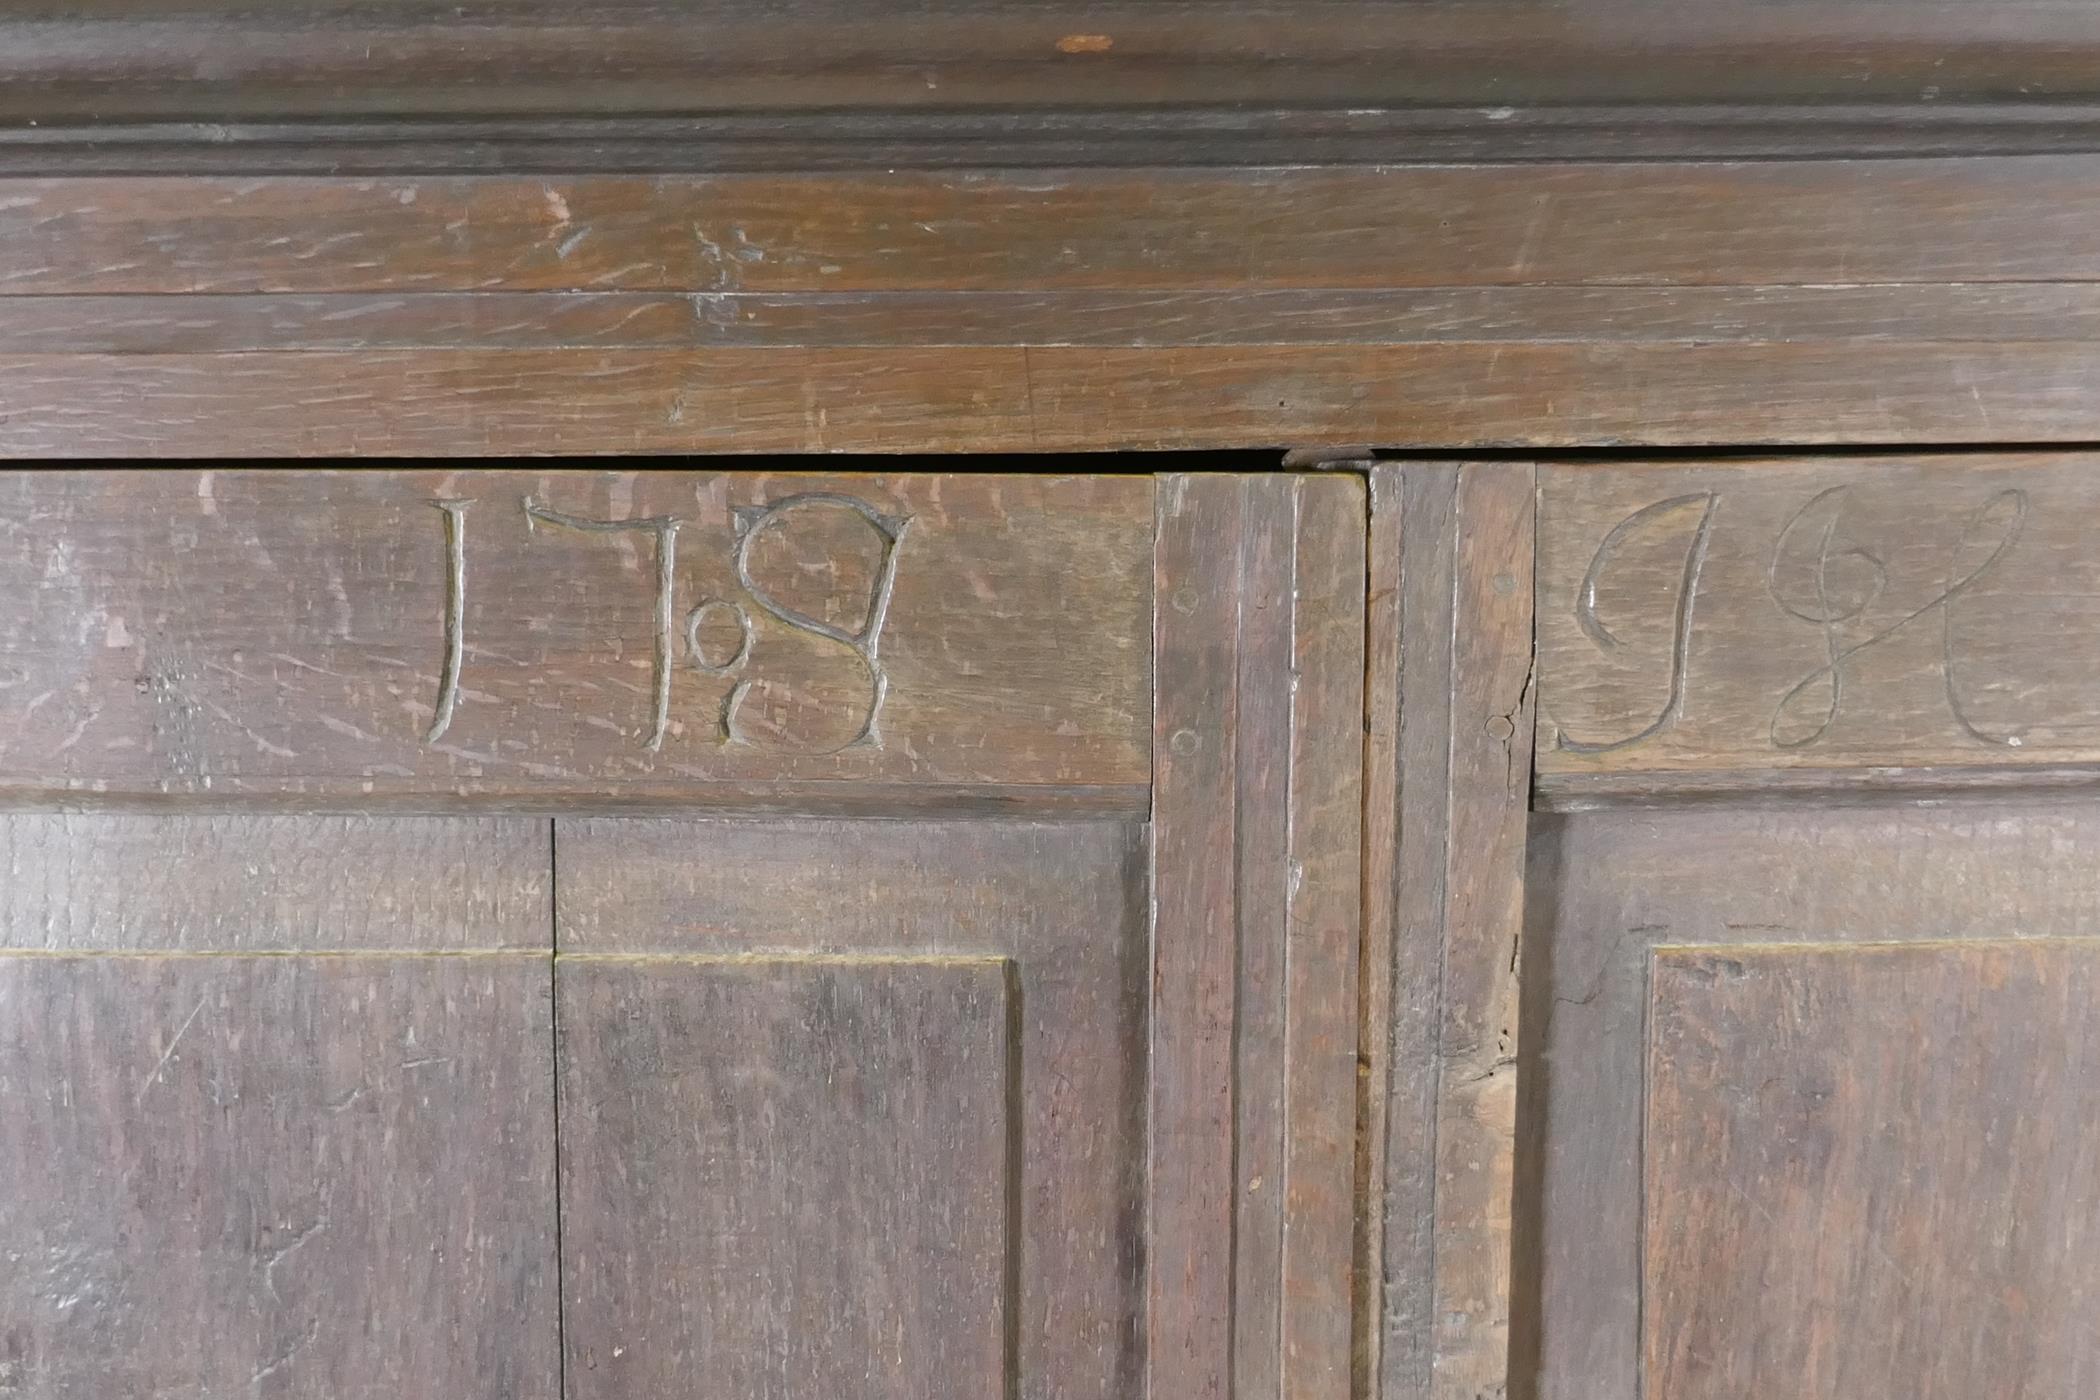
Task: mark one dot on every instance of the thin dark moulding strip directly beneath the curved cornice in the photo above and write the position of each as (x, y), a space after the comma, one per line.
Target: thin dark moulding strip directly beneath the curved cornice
(1049, 140)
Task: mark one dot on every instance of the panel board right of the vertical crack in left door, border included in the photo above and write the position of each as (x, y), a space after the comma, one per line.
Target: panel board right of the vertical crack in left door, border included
(1034, 941)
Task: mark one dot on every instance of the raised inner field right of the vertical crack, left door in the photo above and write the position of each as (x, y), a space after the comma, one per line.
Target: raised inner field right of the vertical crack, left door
(789, 1176)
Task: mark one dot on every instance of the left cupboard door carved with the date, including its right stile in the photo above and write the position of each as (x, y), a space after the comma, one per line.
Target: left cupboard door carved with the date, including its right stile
(526, 933)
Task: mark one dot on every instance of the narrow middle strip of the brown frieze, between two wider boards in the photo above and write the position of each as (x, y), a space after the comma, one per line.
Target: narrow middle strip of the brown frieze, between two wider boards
(1465, 318)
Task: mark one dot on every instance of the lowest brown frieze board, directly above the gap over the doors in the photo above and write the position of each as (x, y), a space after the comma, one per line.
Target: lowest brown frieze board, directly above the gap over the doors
(503, 404)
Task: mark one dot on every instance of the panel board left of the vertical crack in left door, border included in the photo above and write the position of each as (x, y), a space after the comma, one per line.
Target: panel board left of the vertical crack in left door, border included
(276, 1109)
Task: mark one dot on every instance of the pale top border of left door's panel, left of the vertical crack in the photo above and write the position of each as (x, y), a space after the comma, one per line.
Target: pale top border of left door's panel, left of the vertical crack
(226, 883)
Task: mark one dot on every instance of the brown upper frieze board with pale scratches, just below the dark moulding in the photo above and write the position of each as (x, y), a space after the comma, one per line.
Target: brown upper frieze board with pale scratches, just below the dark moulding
(1639, 226)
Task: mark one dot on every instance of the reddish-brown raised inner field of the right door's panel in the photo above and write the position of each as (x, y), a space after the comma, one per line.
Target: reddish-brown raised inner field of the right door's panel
(1874, 1172)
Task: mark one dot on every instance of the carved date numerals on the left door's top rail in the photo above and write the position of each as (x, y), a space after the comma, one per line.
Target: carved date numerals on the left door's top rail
(862, 641)
